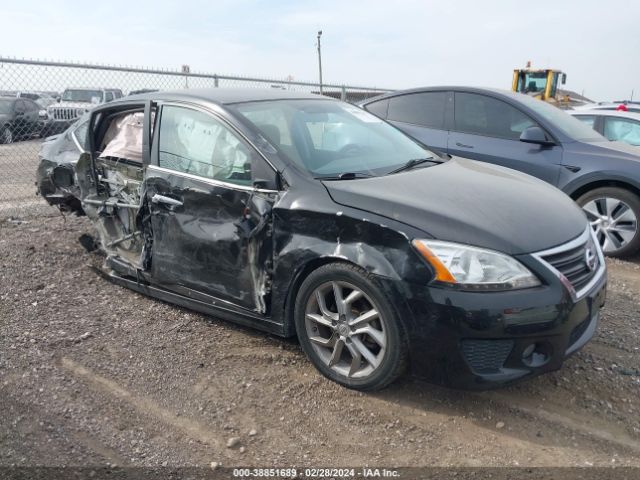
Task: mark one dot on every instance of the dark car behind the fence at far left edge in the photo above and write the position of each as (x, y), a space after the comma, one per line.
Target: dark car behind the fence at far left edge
(18, 118)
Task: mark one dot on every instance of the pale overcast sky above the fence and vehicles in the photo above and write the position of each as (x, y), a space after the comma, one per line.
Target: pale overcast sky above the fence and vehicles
(394, 44)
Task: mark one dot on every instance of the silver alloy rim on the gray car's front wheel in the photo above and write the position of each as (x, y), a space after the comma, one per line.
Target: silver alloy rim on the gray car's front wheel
(614, 222)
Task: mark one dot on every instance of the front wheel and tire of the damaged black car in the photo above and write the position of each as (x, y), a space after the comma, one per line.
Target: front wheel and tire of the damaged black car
(367, 354)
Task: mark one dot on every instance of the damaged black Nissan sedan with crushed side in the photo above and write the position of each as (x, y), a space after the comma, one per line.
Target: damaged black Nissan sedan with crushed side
(302, 215)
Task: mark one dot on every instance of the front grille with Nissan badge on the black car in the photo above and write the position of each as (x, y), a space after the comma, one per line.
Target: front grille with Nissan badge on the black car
(577, 263)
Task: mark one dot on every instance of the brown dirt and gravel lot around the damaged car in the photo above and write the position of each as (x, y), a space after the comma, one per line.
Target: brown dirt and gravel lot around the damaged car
(93, 373)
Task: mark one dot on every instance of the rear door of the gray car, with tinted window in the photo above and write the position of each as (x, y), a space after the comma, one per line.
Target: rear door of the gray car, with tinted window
(423, 116)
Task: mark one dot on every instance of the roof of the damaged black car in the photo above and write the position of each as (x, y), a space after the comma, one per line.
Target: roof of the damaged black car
(224, 96)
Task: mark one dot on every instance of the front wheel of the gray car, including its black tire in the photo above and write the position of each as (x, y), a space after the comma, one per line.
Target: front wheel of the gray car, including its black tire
(614, 213)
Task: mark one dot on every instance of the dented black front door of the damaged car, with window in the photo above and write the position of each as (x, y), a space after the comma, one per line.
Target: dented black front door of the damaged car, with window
(211, 227)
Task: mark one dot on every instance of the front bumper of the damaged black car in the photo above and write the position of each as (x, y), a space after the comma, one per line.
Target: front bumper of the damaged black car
(475, 340)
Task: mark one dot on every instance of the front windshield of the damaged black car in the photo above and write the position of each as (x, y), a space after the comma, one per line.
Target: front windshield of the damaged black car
(329, 138)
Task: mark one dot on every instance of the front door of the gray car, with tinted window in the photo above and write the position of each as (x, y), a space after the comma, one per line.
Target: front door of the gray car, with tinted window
(488, 129)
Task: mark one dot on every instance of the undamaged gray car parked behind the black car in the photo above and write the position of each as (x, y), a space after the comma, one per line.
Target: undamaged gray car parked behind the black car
(525, 134)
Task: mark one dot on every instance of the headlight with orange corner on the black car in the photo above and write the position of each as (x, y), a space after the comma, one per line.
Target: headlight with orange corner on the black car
(475, 268)
